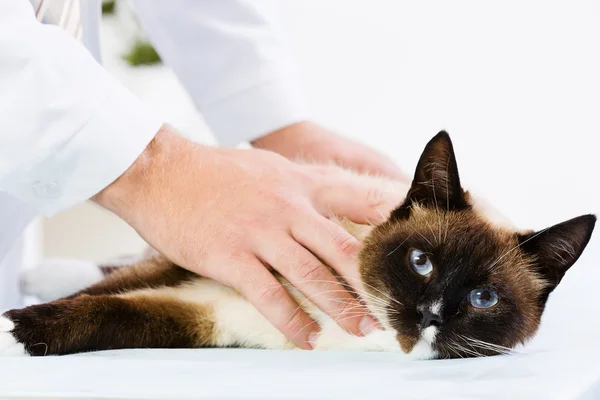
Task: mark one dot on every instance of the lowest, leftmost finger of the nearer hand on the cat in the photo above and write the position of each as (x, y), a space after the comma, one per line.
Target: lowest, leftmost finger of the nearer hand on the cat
(273, 301)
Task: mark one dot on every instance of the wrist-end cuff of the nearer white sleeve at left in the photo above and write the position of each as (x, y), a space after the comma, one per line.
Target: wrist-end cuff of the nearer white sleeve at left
(106, 146)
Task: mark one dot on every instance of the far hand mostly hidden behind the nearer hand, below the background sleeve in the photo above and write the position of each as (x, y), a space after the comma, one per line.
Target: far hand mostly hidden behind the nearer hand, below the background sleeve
(310, 142)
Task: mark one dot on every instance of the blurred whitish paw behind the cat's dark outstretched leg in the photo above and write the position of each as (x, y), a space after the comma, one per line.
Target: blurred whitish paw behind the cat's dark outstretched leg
(56, 278)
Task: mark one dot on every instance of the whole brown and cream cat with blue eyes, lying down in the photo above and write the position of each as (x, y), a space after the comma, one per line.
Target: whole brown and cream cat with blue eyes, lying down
(444, 277)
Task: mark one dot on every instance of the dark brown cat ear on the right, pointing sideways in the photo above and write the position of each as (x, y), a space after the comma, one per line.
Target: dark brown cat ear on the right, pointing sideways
(557, 248)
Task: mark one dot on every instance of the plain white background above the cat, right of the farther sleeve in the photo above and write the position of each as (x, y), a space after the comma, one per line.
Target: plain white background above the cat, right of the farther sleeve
(515, 83)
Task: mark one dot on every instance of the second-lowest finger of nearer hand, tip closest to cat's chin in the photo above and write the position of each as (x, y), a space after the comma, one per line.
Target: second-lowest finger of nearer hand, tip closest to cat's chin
(307, 274)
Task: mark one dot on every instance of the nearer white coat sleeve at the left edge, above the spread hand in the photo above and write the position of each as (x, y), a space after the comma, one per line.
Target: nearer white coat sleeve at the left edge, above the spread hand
(68, 129)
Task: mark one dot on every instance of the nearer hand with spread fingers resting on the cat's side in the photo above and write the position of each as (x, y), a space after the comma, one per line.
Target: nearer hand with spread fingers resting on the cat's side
(237, 216)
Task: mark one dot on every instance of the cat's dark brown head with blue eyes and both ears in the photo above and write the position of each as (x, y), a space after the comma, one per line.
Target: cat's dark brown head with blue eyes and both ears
(451, 282)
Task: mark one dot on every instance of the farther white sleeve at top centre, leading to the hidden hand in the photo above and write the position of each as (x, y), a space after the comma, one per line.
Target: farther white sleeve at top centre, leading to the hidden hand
(233, 61)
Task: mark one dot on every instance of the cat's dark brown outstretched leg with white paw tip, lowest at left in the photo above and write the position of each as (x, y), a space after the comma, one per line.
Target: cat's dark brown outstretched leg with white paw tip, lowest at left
(88, 323)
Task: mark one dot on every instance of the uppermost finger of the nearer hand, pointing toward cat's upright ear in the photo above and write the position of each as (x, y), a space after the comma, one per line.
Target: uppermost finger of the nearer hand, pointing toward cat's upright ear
(360, 202)
